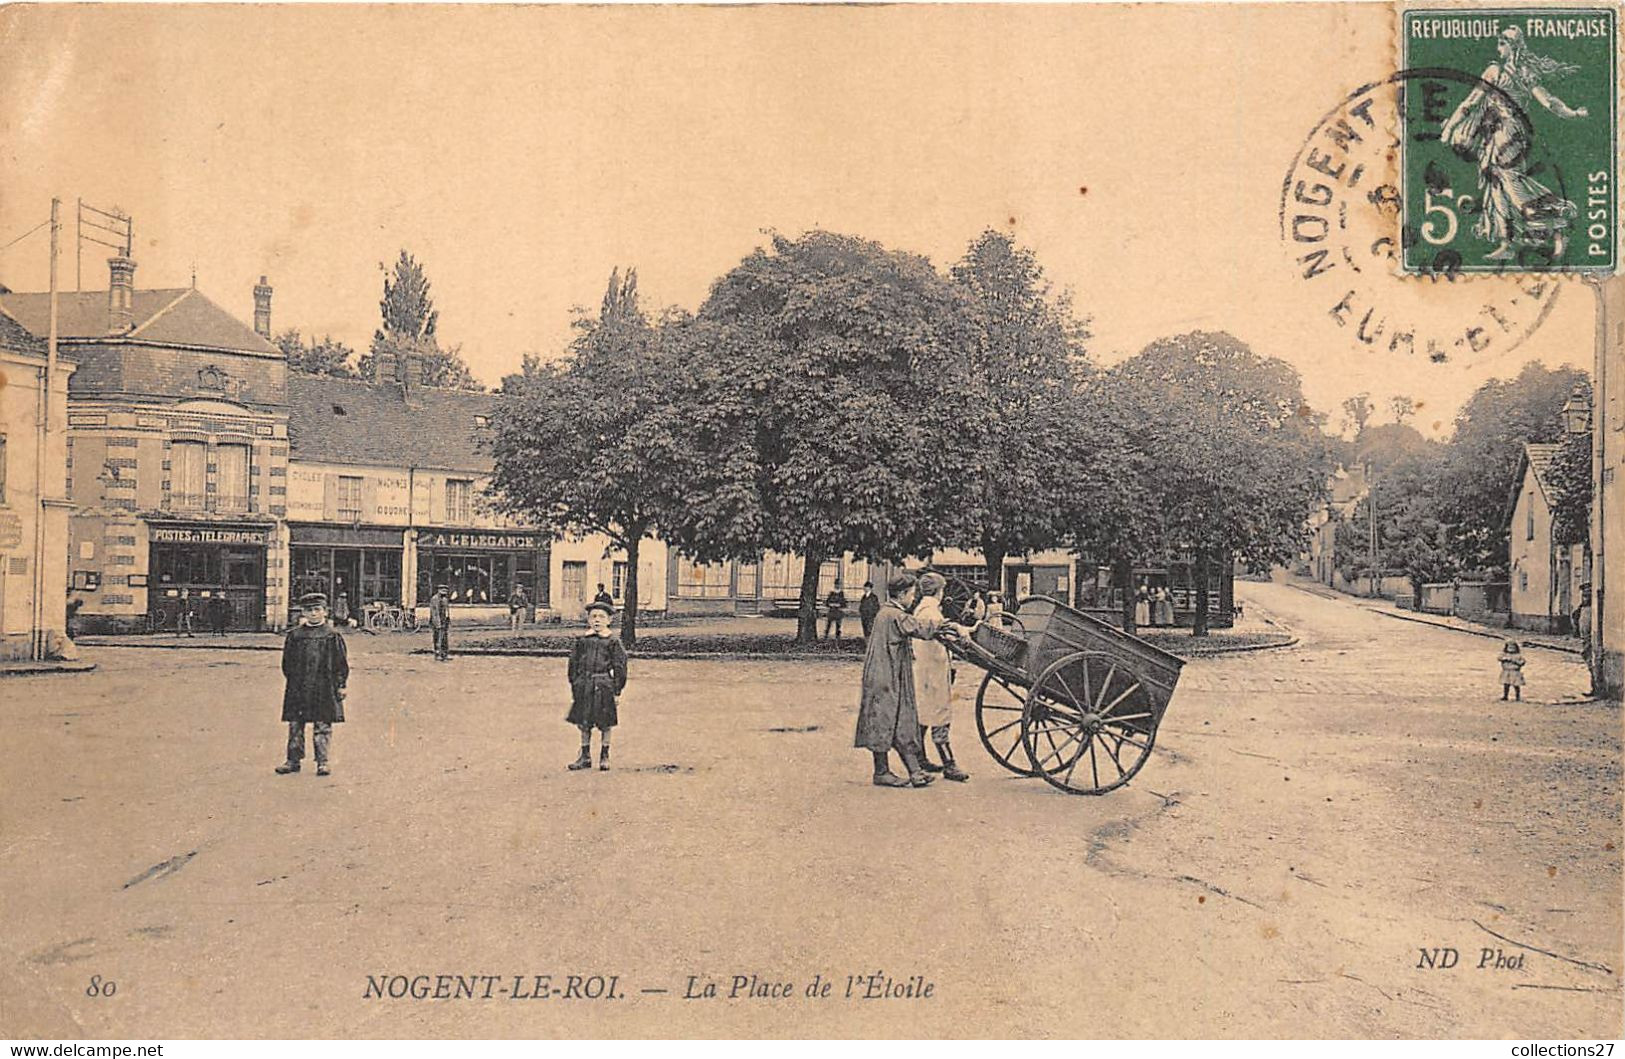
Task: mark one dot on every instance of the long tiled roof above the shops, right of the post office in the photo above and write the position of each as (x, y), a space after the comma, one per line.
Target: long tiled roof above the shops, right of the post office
(350, 421)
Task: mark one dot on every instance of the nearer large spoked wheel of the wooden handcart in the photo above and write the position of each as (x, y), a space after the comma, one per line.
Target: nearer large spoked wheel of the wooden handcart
(1090, 725)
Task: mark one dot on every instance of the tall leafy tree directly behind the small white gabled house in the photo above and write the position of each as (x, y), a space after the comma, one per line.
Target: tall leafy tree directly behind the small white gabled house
(1483, 457)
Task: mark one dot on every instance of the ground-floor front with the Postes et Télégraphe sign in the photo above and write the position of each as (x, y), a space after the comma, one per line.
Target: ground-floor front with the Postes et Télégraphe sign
(207, 576)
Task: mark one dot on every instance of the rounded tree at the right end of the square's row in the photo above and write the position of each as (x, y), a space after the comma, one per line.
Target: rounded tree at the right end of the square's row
(1239, 460)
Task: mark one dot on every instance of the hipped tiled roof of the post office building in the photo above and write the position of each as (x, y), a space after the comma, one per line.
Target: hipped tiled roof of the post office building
(180, 316)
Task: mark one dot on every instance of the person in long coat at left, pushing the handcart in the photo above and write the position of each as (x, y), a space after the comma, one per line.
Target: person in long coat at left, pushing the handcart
(886, 714)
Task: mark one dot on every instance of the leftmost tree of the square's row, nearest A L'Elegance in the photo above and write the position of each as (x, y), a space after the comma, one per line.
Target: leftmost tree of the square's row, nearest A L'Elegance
(589, 444)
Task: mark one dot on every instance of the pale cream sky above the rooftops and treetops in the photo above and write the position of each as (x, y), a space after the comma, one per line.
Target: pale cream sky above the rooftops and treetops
(522, 153)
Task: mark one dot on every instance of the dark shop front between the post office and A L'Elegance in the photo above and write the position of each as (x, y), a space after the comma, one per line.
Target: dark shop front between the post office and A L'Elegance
(352, 566)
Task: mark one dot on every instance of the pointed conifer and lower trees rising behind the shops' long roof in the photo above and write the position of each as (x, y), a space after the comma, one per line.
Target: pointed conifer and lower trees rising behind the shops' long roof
(409, 322)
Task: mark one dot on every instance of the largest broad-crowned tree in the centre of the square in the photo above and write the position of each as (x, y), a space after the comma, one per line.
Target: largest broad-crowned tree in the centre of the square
(839, 358)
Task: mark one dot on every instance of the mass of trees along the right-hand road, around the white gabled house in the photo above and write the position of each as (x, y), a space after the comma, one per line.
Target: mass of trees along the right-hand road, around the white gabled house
(1442, 509)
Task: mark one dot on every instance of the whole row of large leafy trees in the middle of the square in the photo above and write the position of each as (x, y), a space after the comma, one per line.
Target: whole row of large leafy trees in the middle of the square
(833, 396)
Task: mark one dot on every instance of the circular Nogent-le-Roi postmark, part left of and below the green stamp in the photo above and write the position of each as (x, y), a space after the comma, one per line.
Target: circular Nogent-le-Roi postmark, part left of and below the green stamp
(1343, 227)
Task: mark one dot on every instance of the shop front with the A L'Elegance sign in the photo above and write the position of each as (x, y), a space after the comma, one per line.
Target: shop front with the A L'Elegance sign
(480, 568)
